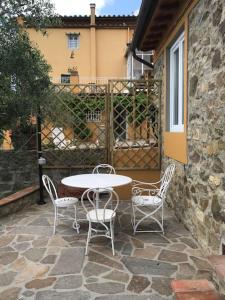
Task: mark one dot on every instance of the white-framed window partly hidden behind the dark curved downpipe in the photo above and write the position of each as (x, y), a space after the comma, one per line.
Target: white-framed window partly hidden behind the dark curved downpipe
(135, 69)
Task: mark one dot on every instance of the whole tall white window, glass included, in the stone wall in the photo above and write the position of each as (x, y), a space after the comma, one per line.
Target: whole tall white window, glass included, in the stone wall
(176, 85)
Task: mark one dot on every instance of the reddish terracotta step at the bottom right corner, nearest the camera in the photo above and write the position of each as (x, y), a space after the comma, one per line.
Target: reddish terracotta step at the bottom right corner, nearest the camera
(201, 289)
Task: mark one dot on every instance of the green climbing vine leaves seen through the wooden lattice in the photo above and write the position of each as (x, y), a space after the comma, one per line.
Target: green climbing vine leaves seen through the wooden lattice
(69, 109)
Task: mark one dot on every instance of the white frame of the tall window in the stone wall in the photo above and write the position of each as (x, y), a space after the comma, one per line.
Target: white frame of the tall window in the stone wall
(178, 45)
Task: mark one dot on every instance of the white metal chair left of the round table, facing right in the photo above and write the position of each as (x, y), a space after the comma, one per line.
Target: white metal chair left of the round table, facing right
(60, 203)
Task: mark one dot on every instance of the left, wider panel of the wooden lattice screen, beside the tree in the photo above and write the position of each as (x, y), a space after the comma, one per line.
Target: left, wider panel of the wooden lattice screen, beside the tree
(69, 137)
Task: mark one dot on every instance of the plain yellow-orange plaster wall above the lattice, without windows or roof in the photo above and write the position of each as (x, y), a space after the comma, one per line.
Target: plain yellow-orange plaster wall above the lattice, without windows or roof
(110, 51)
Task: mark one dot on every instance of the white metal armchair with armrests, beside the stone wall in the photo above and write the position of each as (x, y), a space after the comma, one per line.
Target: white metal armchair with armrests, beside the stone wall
(148, 200)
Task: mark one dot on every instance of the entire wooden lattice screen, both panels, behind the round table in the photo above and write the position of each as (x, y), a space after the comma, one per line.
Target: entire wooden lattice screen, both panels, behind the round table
(84, 125)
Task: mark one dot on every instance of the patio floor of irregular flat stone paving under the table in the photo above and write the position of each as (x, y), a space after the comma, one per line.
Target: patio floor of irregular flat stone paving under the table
(36, 265)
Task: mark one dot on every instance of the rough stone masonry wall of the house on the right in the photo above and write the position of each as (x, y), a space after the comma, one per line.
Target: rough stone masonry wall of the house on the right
(197, 193)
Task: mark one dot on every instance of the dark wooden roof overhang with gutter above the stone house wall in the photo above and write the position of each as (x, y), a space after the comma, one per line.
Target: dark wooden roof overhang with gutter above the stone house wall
(154, 20)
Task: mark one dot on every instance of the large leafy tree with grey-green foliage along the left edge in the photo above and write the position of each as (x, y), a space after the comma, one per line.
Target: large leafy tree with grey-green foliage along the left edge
(24, 73)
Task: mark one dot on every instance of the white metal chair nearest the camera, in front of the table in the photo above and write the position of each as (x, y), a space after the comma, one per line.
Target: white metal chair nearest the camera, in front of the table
(103, 217)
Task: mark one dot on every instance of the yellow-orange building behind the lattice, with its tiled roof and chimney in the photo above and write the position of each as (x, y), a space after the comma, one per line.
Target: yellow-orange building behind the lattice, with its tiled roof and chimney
(91, 47)
